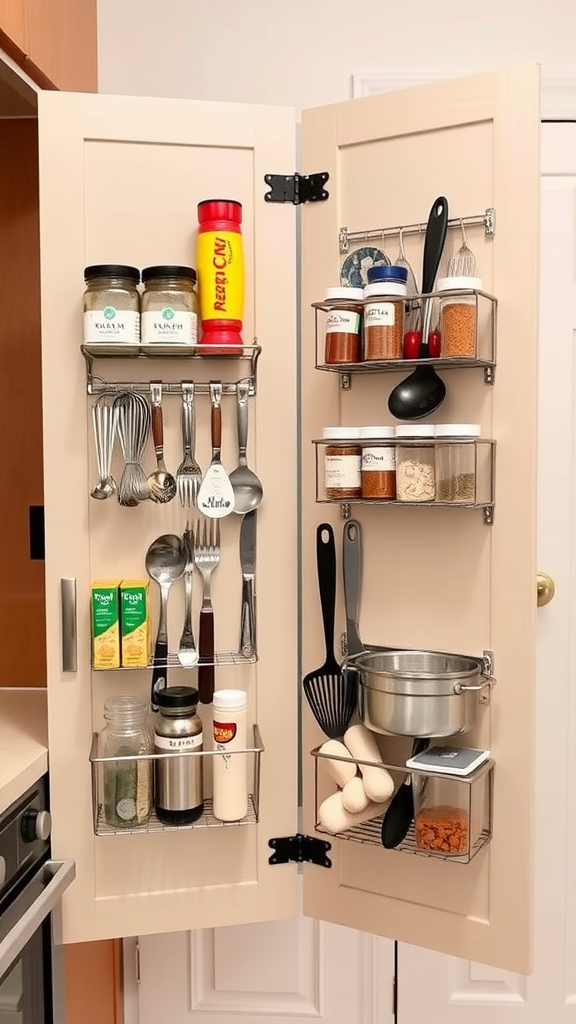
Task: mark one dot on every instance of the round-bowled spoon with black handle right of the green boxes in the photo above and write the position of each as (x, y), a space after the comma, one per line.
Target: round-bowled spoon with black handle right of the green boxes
(166, 563)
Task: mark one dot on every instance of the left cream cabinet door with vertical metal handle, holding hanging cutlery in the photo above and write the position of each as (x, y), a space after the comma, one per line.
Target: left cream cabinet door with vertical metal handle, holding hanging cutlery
(119, 182)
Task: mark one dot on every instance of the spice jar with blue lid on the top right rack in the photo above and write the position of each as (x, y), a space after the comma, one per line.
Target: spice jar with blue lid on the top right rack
(384, 313)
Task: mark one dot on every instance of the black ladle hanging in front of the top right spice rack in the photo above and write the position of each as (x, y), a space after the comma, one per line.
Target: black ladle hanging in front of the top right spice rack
(424, 391)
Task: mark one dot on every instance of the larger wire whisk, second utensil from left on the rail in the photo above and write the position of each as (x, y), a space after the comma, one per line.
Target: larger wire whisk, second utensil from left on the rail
(134, 430)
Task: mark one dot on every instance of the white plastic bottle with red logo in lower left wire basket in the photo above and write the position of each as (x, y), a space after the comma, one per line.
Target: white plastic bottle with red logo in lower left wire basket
(230, 779)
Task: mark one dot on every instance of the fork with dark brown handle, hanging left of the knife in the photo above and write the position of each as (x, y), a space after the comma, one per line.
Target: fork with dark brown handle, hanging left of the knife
(207, 559)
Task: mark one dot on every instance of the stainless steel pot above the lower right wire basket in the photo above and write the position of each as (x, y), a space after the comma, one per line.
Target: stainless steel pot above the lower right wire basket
(418, 693)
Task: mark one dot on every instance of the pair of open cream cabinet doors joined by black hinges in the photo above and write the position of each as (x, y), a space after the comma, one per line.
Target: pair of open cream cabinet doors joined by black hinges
(435, 578)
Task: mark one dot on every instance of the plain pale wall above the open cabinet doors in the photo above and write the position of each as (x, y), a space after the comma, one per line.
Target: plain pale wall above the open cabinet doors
(303, 54)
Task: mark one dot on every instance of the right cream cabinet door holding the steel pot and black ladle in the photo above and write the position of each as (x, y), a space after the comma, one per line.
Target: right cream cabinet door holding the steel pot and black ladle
(438, 578)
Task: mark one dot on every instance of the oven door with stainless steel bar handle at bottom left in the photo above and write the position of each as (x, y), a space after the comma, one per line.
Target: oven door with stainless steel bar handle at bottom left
(27, 983)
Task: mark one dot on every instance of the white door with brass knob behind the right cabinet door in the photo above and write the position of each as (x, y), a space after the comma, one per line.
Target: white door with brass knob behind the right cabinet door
(437, 990)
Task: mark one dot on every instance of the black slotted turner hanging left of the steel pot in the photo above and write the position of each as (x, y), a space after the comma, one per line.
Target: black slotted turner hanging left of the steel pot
(331, 693)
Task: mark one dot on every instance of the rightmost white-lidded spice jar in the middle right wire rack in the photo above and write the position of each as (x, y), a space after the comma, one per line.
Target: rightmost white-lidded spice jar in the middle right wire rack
(457, 462)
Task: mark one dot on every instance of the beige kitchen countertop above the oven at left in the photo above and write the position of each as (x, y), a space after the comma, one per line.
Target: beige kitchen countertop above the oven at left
(24, 742)
